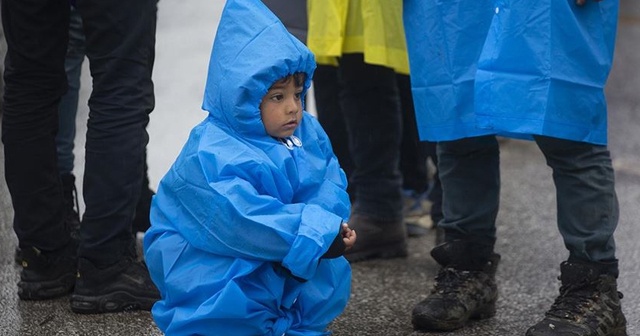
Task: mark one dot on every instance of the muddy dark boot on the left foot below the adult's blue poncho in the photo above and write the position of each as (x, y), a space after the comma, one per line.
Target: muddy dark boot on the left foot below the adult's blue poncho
(464, 289)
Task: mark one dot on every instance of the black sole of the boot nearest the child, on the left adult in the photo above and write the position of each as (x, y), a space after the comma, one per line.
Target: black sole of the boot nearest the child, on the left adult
(110, 303)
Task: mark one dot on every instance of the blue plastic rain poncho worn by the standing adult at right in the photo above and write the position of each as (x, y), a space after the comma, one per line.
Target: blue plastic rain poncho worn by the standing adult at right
(515, 68)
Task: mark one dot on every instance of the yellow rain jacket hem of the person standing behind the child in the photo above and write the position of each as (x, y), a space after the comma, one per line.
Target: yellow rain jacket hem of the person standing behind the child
(373, 28)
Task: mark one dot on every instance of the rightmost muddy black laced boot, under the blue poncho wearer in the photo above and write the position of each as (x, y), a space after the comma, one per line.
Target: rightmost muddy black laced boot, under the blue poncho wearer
(588, 305)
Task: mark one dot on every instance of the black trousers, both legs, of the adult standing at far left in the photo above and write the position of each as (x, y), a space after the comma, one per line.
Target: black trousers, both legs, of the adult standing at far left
(120, 43)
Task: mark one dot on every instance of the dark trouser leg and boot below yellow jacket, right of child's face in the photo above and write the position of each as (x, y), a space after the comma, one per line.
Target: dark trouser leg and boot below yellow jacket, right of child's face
(370, 103)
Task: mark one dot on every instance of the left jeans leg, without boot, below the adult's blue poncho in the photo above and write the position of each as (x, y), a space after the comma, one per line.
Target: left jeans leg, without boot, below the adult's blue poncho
(470, 174)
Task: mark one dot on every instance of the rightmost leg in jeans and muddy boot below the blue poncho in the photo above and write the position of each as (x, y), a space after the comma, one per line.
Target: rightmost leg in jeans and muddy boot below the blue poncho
(587, 219)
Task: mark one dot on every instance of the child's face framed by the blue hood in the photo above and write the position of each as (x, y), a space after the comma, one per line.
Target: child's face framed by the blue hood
(281, 108)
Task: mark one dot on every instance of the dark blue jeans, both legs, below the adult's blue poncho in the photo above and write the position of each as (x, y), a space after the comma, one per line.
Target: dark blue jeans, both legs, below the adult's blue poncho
(585, 190)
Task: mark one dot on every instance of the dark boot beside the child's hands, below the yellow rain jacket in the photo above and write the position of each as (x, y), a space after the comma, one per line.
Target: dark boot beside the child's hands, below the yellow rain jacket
(377, 239)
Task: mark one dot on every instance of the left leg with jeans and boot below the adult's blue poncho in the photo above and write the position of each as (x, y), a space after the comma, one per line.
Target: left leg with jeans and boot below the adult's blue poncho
(465, 286)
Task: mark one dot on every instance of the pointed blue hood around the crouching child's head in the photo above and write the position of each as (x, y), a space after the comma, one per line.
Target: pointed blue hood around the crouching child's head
(252, 49)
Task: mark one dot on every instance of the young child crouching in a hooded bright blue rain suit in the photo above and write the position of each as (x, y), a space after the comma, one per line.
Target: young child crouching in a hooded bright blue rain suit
(249, 224)
